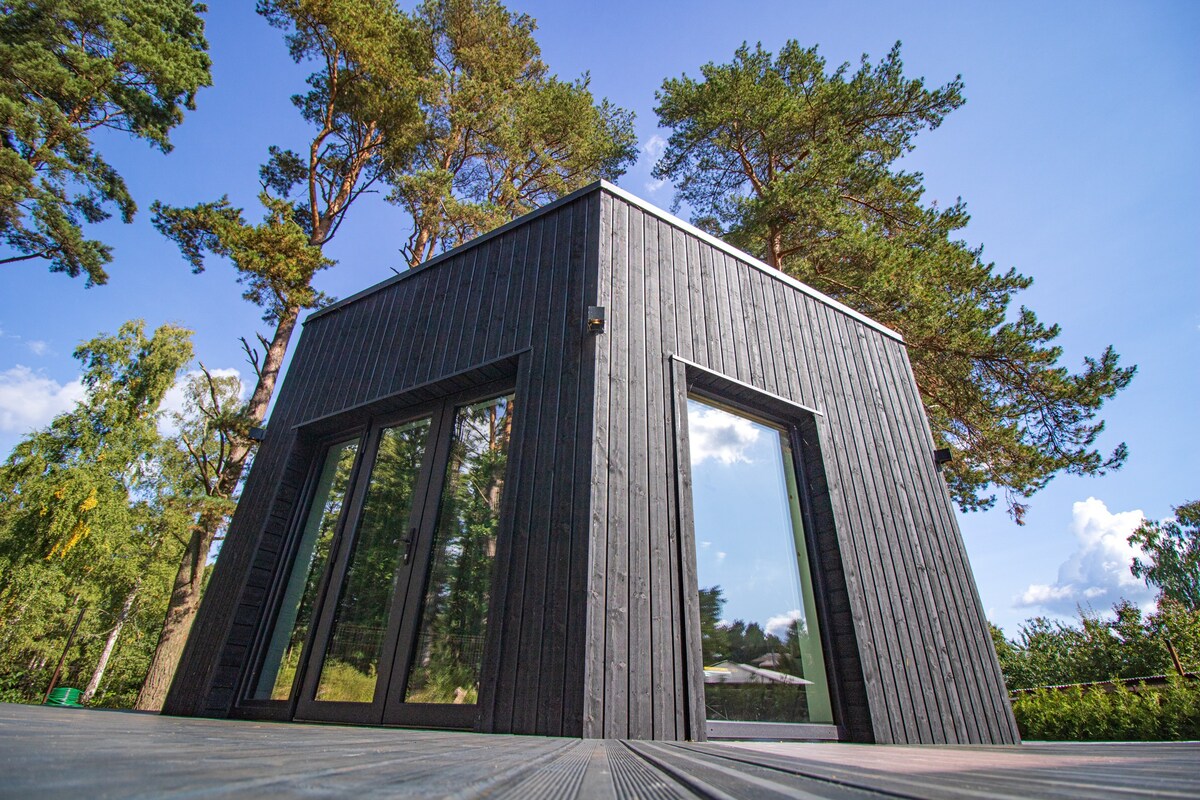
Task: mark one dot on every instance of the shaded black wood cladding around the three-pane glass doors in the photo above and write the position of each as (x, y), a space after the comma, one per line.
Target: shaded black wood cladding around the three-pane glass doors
(515, 299)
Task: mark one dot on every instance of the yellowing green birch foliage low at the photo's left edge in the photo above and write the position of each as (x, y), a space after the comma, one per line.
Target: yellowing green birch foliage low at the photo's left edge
(89, 514)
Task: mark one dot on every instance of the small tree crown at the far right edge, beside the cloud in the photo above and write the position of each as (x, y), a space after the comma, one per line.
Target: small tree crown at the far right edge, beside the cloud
(1173, 555)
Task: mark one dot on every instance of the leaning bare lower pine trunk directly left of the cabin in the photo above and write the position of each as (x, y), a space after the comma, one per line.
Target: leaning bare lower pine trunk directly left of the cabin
(185, 597)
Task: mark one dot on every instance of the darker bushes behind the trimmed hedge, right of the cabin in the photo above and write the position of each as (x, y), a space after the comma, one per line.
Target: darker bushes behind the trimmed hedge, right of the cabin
(1097, 649)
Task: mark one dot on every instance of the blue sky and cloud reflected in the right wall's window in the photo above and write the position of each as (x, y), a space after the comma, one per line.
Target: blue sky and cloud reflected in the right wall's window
(742, 518)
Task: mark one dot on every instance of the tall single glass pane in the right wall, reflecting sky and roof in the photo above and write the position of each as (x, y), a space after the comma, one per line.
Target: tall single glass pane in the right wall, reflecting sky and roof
(760, 635)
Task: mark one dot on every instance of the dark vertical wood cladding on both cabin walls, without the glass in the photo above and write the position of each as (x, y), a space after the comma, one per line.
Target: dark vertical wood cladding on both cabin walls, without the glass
(592, 605)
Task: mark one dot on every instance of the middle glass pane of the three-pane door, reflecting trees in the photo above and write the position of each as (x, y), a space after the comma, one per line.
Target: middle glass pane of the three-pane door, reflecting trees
(350, 671)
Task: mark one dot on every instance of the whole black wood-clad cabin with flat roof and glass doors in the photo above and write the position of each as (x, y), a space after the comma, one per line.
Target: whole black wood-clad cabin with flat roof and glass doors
(598, 474)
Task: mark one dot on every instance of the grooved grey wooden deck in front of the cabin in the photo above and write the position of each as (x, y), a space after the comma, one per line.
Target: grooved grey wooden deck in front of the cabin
(52, 753)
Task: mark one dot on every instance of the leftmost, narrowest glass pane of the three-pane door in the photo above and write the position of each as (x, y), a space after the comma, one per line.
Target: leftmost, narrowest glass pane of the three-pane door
(299, 598)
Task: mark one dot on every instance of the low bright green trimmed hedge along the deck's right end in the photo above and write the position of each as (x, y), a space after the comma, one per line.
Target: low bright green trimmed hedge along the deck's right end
(1167, 714)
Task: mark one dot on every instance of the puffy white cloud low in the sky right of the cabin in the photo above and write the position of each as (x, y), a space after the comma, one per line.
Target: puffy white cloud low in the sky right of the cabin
(1097, 574)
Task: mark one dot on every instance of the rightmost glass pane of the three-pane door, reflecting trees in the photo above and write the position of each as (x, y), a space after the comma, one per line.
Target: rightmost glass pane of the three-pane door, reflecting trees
(454, 616)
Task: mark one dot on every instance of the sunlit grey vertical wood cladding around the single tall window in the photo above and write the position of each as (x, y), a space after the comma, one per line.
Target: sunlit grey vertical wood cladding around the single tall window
(893, 570)
